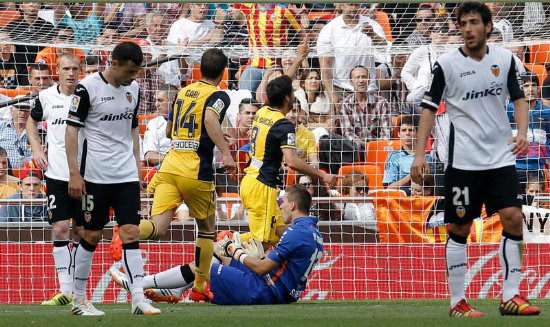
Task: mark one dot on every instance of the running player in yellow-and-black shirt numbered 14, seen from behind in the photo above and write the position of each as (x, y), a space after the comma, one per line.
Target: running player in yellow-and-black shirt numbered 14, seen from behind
(186, 173)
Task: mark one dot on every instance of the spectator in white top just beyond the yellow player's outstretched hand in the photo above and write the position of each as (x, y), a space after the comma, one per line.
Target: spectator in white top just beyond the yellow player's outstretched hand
(356, 185)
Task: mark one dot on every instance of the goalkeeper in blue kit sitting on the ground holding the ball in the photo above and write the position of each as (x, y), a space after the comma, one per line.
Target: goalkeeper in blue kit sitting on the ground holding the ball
(248, 278)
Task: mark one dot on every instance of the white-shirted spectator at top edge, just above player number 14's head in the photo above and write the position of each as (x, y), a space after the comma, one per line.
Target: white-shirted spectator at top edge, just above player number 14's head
(195, 30)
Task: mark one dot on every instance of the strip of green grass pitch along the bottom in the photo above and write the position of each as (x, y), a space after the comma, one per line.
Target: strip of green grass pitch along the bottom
(398, 313)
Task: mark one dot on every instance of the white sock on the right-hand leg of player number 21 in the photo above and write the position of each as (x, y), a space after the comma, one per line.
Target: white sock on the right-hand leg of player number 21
(511, 250)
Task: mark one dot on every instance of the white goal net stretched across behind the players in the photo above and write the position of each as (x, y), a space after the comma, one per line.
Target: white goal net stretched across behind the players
(359, 72)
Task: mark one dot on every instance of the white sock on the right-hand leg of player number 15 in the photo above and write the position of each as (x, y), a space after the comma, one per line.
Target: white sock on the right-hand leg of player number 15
(133, 265)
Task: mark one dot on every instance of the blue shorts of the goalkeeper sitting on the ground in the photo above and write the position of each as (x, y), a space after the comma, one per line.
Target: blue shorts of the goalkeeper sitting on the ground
(237, 285)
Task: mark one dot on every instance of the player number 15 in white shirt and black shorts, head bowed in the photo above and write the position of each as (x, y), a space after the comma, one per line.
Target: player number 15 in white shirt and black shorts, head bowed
(106, 105)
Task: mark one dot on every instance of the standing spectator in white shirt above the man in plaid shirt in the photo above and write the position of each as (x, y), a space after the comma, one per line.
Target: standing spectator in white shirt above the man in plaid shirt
(344, 43)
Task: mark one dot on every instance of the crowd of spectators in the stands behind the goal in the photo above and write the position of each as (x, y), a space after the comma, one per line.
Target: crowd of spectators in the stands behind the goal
(359, 73)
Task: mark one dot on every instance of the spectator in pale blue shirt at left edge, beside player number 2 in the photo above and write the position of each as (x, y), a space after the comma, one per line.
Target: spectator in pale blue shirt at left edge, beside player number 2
(13, 133)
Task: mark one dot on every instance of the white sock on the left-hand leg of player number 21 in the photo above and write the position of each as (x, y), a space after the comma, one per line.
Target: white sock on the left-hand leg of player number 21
(455, 253)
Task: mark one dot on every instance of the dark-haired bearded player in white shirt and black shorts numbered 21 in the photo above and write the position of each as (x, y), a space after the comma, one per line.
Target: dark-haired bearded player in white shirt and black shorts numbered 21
(475, 81)
